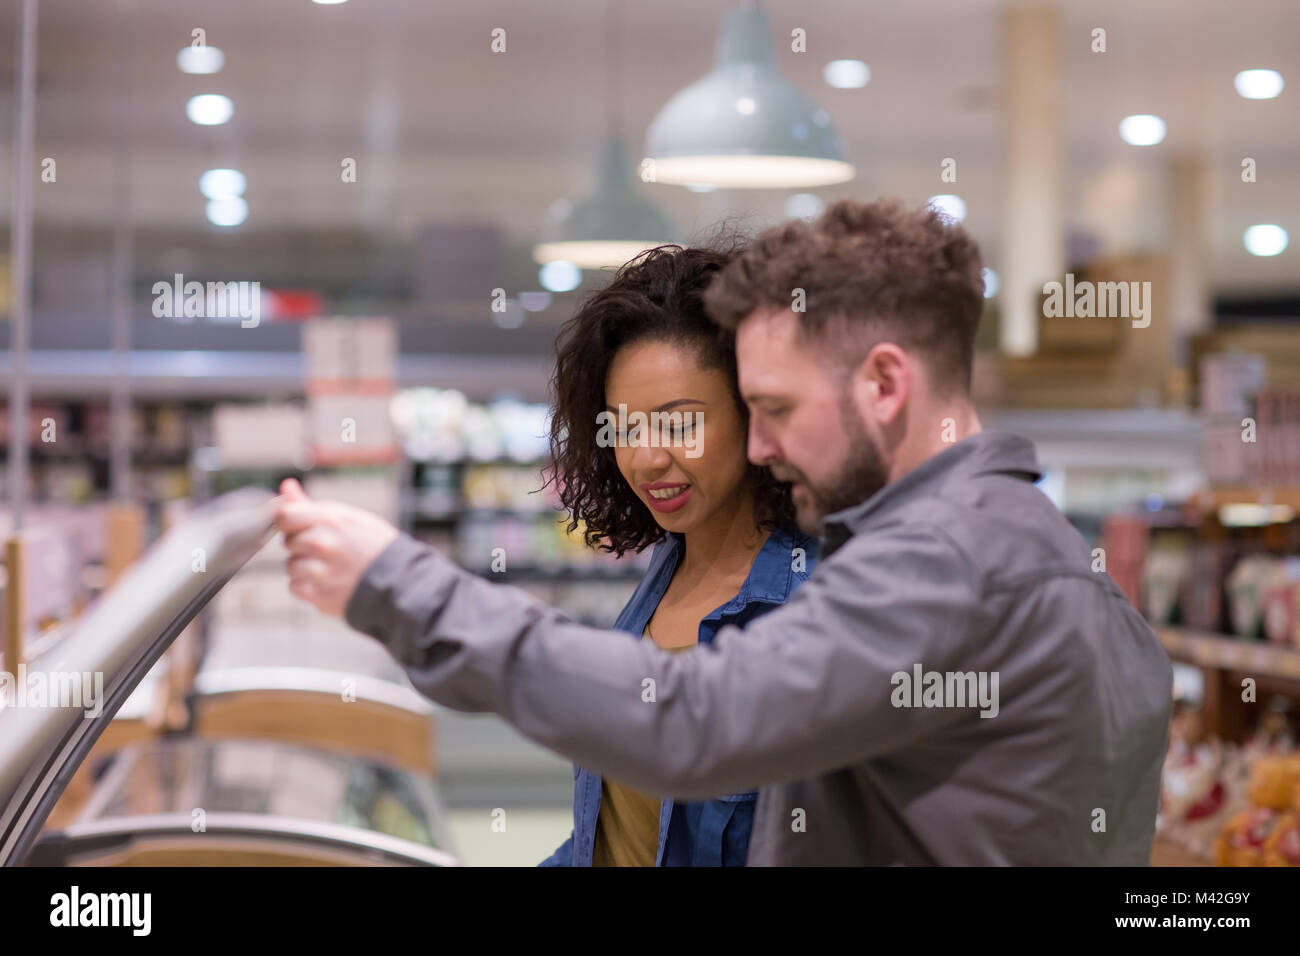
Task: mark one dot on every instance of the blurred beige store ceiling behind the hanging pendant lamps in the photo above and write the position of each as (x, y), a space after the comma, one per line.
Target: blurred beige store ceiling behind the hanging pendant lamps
(447, 132)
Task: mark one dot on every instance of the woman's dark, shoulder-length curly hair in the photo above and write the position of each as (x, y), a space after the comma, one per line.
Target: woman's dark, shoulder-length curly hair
(656, 297)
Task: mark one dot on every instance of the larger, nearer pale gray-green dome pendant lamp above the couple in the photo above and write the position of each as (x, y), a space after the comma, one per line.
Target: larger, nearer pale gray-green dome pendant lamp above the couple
(744, 126)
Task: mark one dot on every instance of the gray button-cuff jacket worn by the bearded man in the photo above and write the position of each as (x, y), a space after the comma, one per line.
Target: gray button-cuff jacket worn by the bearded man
(954, 685)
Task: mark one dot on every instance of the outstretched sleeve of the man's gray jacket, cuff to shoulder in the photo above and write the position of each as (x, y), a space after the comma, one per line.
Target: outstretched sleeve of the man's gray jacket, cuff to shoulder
(800, 691)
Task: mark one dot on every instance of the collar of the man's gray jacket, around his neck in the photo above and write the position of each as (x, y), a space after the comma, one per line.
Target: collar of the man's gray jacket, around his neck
(983, 453)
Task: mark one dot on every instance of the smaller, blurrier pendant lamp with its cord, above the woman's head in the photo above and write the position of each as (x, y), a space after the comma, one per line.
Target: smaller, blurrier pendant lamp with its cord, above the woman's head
(614, 223)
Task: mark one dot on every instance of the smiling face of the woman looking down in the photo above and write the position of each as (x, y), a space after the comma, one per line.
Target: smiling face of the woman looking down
(688, 466)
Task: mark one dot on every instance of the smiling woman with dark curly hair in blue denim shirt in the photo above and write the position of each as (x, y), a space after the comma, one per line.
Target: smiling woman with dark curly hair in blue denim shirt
(726, 546)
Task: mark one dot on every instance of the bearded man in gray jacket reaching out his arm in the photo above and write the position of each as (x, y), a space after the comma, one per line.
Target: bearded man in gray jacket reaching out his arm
(954, 685)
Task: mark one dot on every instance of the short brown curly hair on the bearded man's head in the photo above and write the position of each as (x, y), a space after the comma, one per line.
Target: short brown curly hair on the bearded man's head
(870, 274)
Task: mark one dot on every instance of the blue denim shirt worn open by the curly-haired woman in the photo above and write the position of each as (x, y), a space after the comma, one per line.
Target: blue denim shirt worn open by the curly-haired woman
(700, 833)
